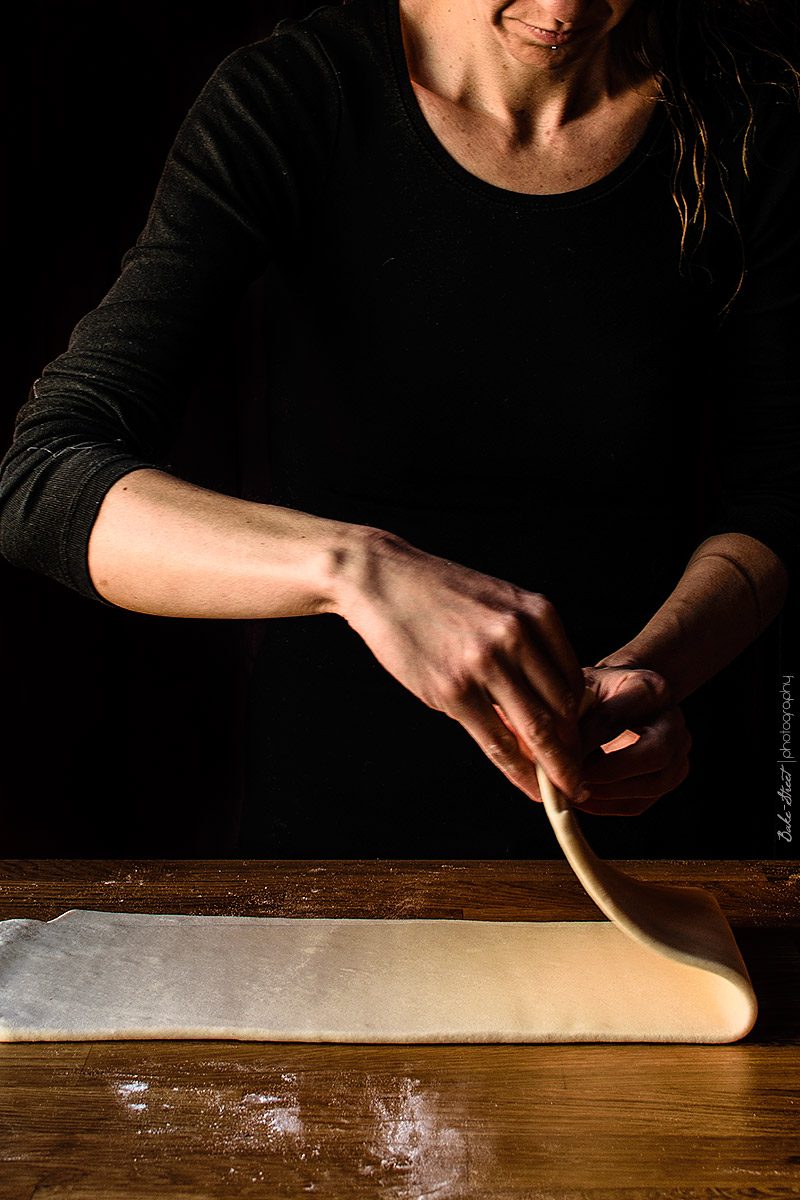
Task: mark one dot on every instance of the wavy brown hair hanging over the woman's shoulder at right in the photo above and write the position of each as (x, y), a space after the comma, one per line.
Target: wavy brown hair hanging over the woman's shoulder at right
(711, 53)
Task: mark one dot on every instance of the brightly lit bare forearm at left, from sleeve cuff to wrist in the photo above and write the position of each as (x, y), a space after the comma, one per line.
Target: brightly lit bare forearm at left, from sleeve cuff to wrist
(164, 547)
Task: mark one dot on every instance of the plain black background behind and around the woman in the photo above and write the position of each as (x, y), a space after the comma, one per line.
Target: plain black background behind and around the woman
(119, 730)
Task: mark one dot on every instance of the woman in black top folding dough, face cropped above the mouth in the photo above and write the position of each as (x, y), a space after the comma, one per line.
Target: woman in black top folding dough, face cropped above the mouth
(509, 332)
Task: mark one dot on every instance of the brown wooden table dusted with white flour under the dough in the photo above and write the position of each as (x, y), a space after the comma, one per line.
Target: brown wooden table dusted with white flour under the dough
(202, 1120)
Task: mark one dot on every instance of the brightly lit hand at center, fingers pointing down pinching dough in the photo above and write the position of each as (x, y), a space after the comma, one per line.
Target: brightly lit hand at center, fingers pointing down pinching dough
(486, 653)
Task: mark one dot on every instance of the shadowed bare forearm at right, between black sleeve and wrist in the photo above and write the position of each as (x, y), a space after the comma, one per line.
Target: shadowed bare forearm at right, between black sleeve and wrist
(732, 590)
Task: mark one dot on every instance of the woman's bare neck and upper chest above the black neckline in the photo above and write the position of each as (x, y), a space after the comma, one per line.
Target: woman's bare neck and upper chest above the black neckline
(520, 121)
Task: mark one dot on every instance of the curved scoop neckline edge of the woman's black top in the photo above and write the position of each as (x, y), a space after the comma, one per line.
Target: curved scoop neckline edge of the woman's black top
(492, 191)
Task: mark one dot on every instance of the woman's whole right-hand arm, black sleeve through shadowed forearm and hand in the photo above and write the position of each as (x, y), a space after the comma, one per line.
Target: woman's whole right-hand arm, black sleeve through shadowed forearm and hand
(735, 585)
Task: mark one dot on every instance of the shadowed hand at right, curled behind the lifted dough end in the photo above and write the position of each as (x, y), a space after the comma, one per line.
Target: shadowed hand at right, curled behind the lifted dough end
(646, 741)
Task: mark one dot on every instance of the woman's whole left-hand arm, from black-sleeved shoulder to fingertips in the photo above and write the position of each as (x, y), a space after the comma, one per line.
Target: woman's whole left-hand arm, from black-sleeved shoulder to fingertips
(83, 500)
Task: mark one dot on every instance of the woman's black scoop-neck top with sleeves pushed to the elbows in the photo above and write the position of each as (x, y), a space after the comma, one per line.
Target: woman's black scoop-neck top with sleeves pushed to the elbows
(534, 386)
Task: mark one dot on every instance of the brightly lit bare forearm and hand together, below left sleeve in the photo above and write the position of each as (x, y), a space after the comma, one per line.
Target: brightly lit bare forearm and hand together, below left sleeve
(464, 643)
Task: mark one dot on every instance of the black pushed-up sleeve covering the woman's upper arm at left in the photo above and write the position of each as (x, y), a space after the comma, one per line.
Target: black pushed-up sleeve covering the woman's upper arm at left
(255, 145)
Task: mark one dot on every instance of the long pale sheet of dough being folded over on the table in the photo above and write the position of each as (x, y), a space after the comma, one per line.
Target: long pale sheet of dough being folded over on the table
(665, 968)
